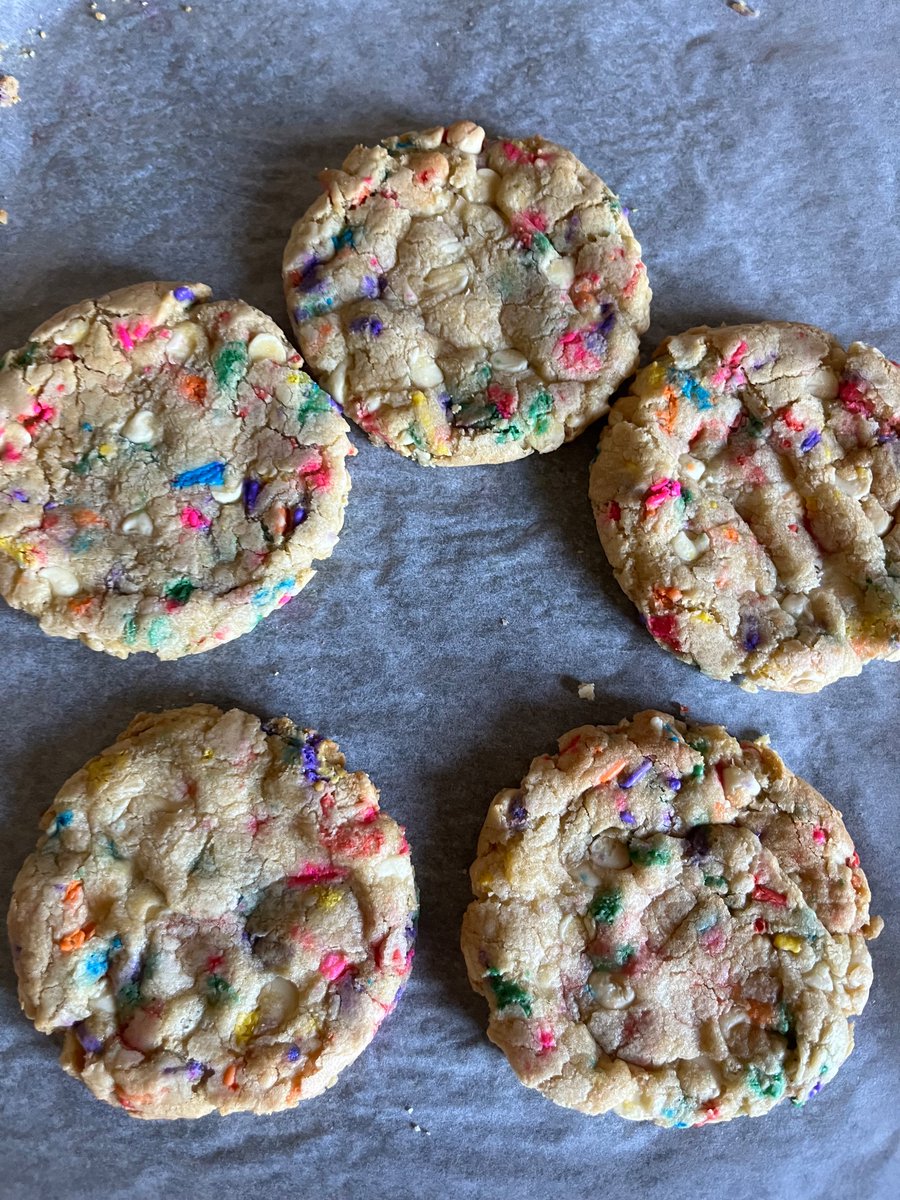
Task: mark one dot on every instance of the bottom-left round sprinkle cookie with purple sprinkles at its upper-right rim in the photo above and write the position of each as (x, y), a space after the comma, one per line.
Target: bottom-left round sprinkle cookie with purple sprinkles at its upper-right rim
(218, 916)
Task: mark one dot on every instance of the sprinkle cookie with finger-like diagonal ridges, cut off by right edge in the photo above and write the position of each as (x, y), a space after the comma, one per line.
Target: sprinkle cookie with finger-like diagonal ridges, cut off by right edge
(747, 494)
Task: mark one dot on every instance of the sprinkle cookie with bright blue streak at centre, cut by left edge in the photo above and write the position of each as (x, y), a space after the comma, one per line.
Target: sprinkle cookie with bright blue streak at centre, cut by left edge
(169, 473)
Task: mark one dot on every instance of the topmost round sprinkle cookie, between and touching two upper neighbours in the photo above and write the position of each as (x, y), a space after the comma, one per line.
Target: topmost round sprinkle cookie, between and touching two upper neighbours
(467, 301)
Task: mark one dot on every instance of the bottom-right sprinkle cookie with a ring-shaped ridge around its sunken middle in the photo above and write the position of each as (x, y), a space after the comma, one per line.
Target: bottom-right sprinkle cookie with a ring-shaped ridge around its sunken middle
(669, 926)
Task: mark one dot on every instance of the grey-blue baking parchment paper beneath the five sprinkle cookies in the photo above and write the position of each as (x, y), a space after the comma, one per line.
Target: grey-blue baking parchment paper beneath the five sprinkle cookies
(761, 160)
